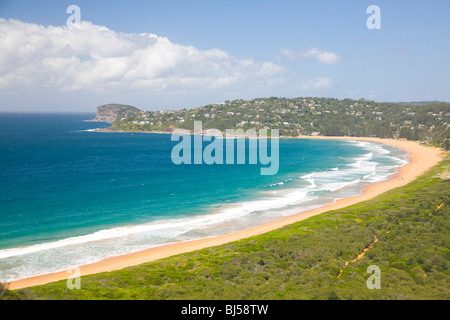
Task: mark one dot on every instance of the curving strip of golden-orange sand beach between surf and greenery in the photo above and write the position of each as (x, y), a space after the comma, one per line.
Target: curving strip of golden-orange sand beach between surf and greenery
(421, 158)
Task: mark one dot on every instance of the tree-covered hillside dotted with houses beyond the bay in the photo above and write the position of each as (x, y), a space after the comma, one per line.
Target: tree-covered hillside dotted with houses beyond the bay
(426, 122)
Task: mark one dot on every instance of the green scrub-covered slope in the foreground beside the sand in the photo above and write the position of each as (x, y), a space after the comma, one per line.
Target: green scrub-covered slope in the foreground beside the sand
(302, 261)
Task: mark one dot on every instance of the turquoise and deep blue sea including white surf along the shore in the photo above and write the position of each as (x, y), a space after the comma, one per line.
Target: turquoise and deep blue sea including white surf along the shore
(71, 196)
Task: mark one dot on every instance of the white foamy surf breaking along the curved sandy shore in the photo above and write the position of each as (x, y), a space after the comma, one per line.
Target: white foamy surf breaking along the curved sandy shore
(289, 196)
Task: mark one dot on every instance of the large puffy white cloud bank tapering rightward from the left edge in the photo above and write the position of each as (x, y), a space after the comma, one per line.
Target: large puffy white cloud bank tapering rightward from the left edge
(97, 58)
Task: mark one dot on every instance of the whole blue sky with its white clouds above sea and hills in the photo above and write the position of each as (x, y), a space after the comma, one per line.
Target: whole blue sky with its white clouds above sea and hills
(210, 51)
